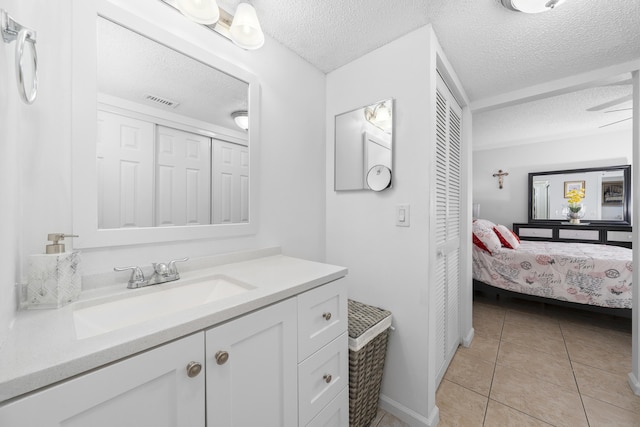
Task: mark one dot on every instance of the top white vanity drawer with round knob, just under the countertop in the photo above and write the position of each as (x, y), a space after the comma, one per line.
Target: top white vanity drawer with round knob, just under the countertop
(322, 316)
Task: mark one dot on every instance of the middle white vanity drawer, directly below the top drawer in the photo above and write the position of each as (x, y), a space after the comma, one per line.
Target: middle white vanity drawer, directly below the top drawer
(315, 388)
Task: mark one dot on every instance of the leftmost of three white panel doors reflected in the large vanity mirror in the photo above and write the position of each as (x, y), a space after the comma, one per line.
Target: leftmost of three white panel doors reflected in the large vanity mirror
(125, 171)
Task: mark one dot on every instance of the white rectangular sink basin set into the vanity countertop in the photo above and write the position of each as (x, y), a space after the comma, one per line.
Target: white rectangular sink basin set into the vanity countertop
(109, 316)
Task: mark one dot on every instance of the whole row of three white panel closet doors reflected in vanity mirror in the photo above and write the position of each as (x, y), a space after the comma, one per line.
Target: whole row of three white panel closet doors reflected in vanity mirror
(198, 180)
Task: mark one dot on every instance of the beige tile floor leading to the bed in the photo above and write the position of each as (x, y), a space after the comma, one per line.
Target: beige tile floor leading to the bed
(537, 365)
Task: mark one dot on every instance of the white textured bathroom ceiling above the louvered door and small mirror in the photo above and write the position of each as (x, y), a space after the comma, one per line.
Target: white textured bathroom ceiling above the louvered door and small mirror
(492, 49)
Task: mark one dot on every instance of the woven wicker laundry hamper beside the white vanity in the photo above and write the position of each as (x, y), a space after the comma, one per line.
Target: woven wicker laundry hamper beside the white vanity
(368, 336)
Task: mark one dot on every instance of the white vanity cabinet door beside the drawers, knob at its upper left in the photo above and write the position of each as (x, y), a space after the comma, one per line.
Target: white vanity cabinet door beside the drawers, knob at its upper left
(251, 369)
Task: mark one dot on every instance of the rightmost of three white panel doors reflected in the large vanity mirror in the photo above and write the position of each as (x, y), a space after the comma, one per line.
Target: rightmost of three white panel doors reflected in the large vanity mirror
(230, 192)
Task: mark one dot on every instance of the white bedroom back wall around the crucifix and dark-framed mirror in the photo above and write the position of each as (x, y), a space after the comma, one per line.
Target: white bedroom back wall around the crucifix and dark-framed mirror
(509, 205)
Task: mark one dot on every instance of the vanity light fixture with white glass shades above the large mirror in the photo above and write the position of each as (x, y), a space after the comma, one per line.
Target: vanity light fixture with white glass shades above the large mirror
(243, 29)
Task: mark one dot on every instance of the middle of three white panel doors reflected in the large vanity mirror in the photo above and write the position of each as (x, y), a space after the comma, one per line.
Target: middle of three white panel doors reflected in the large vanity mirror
(183, 178)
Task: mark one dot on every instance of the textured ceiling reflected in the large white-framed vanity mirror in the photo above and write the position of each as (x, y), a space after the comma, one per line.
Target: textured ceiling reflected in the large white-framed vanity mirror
(131, 67)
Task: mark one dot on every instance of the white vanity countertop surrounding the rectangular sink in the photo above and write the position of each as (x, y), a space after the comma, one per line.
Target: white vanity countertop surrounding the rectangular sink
(42, 347)
